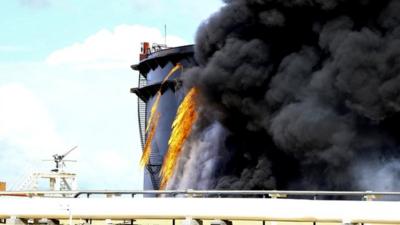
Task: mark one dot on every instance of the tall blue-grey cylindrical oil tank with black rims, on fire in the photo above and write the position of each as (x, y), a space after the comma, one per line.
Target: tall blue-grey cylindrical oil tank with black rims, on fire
(159, 90)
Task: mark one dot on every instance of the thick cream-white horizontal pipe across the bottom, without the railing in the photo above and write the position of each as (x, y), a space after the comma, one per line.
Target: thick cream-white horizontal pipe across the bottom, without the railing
(265, 209)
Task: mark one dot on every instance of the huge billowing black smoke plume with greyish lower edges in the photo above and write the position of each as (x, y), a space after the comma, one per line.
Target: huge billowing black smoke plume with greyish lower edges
(307, 93)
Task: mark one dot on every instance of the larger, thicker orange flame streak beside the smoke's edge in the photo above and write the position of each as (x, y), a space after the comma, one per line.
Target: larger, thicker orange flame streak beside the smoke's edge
(181, 129)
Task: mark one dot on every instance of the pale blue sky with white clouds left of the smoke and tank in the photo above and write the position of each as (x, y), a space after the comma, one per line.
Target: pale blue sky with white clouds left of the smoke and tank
(65, 80)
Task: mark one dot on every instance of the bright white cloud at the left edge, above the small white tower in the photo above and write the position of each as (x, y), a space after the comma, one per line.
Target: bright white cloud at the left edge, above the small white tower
(25, 122)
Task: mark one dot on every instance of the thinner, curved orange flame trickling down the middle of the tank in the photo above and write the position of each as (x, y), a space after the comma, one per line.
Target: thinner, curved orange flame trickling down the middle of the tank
(154, 117)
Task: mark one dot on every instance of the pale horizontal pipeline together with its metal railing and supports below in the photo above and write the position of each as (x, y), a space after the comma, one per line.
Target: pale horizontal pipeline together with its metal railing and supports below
(197, 207)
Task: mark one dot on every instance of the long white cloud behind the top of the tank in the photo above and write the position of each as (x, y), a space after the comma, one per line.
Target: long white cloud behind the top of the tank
(110, 49)
